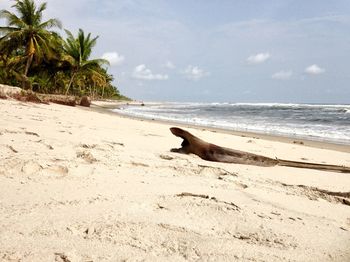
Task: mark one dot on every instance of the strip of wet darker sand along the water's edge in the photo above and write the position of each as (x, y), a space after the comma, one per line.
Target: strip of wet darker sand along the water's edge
(107, 107)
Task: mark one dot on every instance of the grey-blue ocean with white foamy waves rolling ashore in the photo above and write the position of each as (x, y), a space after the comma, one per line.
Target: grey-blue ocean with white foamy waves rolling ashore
(329, 123)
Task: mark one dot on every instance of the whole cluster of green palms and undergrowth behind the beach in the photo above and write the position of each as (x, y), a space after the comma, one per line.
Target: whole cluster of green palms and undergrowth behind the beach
(36, 58)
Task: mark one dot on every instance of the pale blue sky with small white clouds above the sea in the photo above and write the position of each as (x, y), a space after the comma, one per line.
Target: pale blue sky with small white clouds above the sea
(284, 51)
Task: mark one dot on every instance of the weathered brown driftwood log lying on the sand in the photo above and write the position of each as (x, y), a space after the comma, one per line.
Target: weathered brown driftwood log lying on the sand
(211, 152)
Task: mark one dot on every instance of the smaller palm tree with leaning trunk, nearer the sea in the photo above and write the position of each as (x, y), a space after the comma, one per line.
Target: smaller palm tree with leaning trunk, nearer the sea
(79, 51)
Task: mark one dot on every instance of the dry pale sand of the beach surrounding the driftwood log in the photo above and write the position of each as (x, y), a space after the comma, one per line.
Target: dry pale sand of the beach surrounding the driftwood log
(78, 185)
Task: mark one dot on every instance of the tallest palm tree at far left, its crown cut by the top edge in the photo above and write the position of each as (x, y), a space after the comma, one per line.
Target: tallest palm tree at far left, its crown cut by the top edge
(27, 30)
